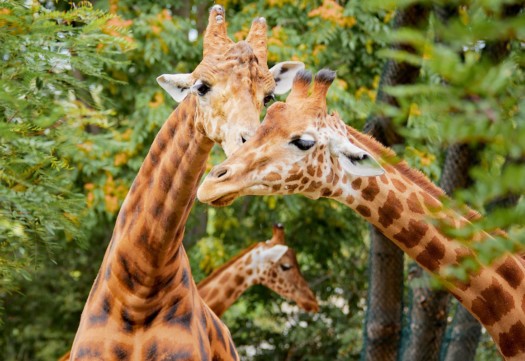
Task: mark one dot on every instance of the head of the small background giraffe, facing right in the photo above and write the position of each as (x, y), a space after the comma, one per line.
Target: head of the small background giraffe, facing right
(279, 271)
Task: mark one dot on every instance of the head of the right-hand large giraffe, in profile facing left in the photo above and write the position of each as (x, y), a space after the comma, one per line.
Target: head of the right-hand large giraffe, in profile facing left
(299, 148)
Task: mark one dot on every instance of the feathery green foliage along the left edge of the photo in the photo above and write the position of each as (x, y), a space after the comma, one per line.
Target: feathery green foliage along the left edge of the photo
(45, 95)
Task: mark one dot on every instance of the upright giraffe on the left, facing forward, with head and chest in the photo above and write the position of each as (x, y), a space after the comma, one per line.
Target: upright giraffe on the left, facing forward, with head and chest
(144, 294)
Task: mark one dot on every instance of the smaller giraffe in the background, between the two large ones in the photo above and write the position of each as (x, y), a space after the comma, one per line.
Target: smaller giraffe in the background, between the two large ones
(271, 264)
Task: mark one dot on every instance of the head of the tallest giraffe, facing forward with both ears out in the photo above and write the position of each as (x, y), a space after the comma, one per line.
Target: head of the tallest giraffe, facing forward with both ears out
(232, 83)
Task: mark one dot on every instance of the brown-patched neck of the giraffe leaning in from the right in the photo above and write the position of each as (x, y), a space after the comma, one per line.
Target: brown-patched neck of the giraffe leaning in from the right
(407, 209)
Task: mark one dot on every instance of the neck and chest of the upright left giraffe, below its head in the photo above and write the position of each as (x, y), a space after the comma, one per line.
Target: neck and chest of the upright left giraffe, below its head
(144, 289)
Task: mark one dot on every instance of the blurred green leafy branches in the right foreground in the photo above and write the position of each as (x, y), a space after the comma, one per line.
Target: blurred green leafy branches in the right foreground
(470, 92)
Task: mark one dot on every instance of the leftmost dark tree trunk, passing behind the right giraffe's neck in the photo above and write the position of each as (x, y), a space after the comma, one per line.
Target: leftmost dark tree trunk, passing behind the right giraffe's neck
(385, 295)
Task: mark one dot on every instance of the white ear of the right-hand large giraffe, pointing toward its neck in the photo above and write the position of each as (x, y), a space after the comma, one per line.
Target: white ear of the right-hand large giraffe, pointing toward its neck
(356, 161)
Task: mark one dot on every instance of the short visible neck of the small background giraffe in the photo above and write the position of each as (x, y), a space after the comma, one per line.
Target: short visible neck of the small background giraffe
(223, 287)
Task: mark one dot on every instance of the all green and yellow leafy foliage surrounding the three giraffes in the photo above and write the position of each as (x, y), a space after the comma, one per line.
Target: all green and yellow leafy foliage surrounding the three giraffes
(79, 107)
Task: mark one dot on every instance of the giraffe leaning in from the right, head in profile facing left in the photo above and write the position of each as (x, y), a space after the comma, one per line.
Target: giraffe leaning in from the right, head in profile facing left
(300, 148)
